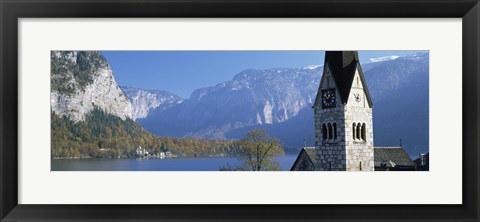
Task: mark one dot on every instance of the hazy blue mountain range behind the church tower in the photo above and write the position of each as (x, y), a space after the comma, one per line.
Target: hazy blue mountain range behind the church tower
(280, 100)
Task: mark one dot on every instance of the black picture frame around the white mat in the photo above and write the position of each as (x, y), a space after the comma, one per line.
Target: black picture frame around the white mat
(12, 10)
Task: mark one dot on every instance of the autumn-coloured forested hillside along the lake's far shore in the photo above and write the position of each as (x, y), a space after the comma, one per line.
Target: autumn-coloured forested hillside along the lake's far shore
(104, 135)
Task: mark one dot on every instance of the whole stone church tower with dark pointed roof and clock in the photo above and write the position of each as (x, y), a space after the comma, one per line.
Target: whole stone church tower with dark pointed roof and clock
(343, 116)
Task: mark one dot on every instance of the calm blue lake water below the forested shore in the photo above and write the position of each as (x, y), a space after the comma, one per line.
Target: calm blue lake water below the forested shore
(169, 164)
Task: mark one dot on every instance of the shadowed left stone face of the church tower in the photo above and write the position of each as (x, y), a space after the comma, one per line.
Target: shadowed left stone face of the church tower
(331, 154)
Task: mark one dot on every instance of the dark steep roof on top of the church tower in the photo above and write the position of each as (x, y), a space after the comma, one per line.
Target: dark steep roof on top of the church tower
(342, 65)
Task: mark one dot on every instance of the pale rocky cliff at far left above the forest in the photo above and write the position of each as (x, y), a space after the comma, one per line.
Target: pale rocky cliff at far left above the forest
(83, 80)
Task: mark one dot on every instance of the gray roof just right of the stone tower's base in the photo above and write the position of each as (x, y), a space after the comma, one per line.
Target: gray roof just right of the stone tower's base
(391, 157)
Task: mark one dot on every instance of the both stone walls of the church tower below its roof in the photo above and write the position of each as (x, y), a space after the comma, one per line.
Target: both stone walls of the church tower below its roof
(346, 152)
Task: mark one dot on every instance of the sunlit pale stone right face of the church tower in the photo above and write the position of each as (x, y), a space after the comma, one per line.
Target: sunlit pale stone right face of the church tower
(359, 151)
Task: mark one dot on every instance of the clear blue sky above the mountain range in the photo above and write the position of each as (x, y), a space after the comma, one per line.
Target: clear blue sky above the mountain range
(181, 72)
